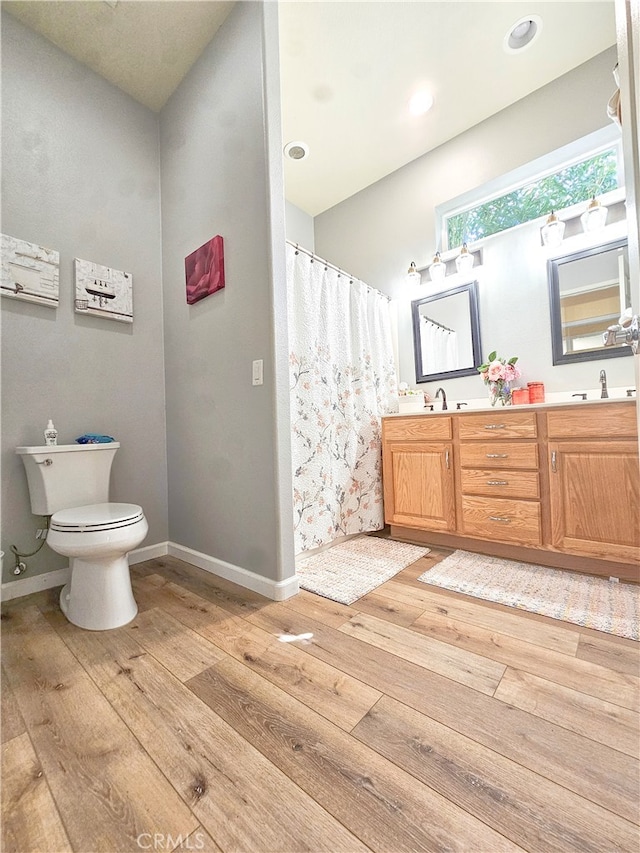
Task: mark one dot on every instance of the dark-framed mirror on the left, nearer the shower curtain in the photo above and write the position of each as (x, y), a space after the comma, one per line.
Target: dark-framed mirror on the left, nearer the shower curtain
(446, 334)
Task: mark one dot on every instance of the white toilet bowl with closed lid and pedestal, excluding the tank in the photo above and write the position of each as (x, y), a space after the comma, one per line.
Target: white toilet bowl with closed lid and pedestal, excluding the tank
(97, 539)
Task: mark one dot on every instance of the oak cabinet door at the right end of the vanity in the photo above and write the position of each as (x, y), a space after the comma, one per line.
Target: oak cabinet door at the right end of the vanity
(594, 489)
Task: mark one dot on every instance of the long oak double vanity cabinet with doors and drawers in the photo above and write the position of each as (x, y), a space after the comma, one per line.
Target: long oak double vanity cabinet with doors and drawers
(555, 485)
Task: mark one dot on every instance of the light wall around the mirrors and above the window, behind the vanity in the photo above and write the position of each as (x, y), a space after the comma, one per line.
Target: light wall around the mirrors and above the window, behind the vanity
(375, 233)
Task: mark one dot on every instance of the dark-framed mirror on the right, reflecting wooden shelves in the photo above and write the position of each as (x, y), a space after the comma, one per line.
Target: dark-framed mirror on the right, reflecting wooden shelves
(588, 290)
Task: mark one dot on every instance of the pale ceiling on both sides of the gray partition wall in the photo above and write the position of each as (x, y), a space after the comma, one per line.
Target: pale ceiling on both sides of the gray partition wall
(348, 69)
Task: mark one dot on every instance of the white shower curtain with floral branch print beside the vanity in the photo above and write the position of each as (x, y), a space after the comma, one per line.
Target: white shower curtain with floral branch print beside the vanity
(343, 379)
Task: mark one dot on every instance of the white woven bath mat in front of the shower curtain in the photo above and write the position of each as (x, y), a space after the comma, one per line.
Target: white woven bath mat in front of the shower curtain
(350, 570)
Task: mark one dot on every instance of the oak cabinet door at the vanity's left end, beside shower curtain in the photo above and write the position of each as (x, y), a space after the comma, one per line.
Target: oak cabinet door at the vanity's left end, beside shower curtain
(418, 485)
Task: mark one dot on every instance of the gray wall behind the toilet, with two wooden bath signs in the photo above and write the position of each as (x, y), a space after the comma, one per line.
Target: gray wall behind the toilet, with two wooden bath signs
(80, 175)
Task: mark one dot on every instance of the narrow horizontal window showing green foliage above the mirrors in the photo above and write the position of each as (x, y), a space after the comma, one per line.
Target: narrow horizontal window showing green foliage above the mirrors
(578, 182)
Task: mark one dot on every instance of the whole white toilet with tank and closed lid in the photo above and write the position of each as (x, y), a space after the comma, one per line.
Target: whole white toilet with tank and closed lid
(70, 482)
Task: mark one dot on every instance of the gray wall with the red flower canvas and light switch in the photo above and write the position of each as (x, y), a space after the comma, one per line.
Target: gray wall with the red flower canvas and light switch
(224, 497)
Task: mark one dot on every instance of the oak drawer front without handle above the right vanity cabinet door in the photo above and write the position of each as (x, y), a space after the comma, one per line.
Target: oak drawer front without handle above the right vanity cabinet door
(601, 420)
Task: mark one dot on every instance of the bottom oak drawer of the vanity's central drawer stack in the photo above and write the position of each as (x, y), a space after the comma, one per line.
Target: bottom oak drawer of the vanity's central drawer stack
(502, 519)
